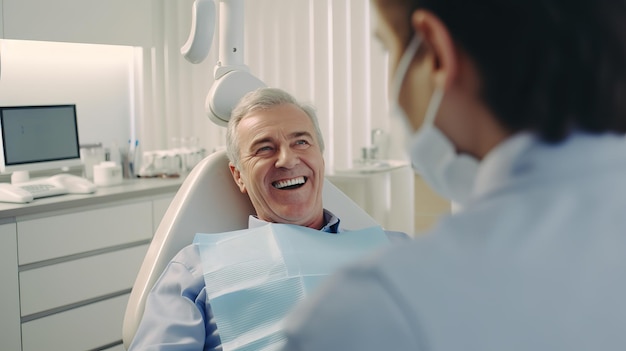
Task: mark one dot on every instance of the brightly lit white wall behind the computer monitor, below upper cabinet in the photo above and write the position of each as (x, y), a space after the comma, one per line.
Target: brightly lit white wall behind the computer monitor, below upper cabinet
(97, 78)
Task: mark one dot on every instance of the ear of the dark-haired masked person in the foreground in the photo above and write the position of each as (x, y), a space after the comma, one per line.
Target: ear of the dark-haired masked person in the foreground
(439, 42)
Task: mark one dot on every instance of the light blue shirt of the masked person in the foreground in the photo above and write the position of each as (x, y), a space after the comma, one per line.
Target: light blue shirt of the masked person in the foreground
(535, 261)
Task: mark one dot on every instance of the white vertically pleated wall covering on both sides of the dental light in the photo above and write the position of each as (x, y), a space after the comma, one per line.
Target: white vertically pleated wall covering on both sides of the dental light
(322, 51)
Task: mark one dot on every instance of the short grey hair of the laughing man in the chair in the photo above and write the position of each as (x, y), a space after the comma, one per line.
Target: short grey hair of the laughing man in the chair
(262, 99)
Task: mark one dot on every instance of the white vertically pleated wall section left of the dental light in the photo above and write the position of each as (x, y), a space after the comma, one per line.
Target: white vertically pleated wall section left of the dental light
(173, 91)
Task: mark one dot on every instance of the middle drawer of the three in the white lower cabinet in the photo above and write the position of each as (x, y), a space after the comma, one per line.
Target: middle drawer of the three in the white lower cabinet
(79, 280)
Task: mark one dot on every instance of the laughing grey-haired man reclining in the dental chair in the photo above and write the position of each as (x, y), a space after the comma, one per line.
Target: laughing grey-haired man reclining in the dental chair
(275, 147)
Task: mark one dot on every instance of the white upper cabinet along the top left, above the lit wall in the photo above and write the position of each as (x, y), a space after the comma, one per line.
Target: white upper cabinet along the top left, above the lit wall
(120, 22)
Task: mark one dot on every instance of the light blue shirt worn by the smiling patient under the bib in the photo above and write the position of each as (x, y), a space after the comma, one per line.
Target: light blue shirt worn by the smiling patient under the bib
(178, 314)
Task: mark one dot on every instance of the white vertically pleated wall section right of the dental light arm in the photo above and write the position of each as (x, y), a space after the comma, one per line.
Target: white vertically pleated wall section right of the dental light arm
(323, 52)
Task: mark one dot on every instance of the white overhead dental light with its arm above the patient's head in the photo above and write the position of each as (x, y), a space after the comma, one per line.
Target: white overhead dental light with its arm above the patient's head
(232, 77)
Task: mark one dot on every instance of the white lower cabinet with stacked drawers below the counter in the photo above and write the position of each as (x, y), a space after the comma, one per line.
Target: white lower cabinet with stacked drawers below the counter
(66, 274)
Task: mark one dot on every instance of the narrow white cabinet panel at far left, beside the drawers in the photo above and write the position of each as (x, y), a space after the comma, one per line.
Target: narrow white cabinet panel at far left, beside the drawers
(9, 303)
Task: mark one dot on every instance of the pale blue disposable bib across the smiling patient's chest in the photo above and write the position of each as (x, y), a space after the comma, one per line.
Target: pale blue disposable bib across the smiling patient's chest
(254, 277)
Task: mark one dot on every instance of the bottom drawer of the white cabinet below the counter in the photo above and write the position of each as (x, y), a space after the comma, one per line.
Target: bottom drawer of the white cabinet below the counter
(84, 328)
